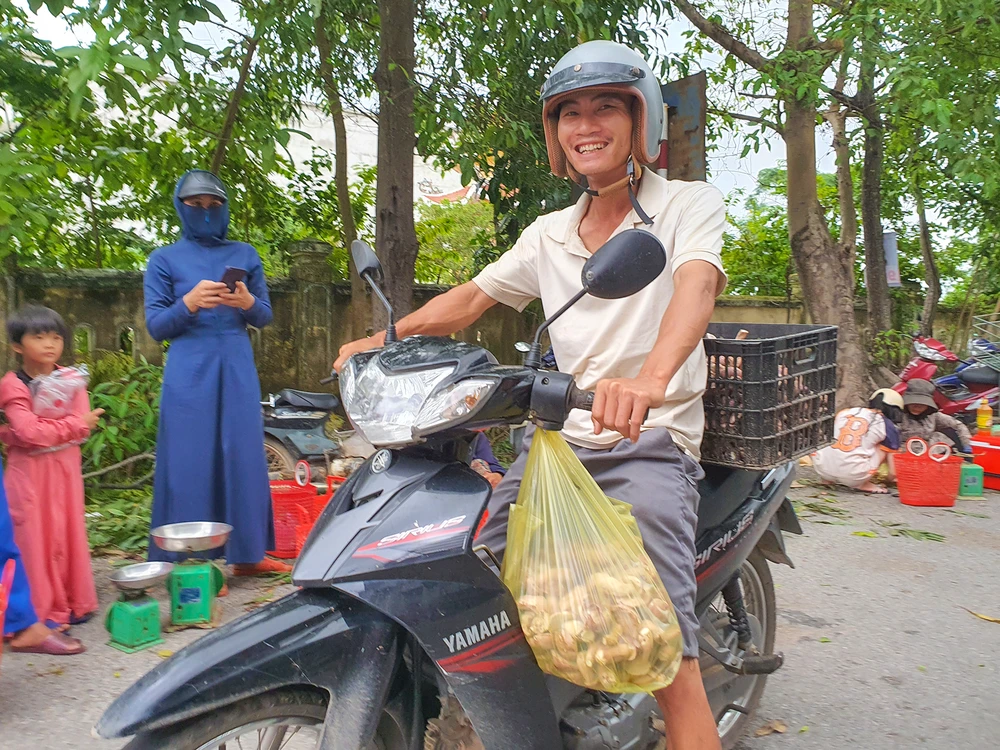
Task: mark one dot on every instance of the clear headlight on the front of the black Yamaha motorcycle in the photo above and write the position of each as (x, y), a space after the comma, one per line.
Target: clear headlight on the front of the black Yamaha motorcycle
(384, 406)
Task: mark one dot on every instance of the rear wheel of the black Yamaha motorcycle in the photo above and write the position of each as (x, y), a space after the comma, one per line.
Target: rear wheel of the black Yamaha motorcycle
(723, 687)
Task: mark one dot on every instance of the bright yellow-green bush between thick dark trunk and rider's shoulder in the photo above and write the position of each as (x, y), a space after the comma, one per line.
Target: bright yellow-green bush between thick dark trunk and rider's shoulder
(454, 238)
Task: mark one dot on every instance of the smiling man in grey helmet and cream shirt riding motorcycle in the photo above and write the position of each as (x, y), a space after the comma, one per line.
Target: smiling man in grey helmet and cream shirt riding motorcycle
(603, 117)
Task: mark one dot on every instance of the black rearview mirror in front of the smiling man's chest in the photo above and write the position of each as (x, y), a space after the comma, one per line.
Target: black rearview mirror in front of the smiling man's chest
(624, 265)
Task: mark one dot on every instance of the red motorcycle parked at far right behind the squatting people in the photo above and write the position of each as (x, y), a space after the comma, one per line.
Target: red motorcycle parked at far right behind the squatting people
(960, 393)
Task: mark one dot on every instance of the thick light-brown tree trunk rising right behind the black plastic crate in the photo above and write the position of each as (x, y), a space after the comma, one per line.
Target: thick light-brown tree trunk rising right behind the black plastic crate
(826, 270)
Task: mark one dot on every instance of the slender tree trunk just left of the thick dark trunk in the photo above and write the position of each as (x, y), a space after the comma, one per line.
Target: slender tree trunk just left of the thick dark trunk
(359, 296)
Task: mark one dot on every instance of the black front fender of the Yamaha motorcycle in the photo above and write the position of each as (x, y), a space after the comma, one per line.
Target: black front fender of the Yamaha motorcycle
(317, 638)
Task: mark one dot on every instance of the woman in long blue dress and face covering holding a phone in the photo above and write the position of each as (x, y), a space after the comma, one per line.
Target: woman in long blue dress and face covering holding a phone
(210, 463)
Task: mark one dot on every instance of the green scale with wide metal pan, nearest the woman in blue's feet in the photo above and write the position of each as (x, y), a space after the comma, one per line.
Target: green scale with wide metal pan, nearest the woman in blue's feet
(193, 584)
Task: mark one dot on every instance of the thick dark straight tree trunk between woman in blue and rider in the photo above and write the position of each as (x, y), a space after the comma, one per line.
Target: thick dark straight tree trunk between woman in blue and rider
(395, 234)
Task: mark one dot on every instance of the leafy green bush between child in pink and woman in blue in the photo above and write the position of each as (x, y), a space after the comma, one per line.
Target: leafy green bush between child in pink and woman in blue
(128, 427)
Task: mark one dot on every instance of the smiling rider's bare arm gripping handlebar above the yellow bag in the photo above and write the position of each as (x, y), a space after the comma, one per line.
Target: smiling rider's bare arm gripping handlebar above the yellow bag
(621, 403)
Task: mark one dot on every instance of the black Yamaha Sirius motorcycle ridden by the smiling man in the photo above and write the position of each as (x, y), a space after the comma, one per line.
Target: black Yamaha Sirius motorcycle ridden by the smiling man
(400, 612)
